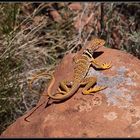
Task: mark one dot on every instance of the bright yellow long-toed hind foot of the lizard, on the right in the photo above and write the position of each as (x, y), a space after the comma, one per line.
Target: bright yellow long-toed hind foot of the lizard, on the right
(93, 90)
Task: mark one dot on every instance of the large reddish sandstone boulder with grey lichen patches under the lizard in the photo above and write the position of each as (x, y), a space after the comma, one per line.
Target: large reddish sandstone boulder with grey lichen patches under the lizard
(113, 112)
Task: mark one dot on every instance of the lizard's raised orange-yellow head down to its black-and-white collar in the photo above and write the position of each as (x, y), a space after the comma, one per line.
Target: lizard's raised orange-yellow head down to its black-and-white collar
(93, 45)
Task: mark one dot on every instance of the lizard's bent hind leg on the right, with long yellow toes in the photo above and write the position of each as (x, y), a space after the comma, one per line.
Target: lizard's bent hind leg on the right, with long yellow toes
(88, 83)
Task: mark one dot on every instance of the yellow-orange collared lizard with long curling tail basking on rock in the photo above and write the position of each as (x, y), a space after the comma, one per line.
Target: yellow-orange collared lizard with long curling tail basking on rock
(82, 62)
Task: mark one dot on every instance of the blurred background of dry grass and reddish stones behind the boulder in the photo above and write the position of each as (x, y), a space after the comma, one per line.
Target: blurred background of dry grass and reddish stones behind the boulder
(34, 37)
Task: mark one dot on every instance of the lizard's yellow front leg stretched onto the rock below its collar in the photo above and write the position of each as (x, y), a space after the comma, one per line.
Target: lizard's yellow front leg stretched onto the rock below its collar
(98, 65)
